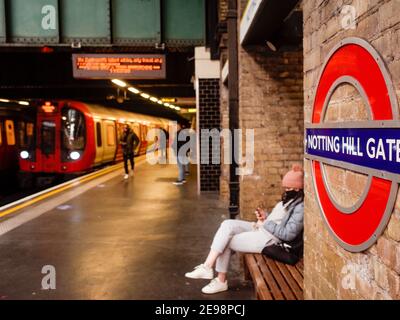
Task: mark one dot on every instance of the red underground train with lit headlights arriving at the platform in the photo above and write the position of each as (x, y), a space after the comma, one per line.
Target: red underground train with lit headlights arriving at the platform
(73, 137)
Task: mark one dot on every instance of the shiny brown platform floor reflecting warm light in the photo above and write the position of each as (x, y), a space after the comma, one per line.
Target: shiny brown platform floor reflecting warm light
(130, 239)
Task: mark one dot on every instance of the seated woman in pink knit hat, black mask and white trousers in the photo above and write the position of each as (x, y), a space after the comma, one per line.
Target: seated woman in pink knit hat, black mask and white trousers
(284, 223)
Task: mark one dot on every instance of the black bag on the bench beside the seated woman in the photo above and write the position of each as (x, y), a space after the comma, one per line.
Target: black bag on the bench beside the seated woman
(286, 252)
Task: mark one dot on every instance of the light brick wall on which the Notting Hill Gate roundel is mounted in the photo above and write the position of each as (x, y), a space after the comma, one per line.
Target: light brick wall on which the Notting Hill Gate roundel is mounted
(375, 272)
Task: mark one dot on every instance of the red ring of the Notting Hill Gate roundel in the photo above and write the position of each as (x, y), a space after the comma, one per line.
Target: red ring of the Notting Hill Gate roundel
(358, 228)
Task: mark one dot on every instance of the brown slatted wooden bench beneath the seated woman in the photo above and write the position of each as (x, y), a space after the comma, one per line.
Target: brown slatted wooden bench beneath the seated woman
(274, 280)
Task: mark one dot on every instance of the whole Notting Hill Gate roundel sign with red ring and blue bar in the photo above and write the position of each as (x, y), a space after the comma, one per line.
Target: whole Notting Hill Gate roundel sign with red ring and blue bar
(370, 147)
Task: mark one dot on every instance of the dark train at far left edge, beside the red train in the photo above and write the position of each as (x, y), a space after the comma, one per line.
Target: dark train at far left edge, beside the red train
(16, 131)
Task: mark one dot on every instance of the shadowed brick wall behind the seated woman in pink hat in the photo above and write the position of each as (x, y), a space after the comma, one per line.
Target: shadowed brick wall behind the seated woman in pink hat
(271, 103)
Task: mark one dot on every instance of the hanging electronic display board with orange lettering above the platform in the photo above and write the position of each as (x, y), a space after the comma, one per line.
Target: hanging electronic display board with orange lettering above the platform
(121, 66)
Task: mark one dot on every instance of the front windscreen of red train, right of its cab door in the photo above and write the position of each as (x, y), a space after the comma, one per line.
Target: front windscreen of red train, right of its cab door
(73, 129)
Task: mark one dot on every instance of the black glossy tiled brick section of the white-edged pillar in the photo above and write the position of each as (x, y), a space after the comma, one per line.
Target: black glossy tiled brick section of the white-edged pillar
(209, 113)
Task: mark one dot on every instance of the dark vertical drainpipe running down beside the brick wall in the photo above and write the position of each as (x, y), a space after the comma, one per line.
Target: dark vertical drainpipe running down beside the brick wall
(233, 85)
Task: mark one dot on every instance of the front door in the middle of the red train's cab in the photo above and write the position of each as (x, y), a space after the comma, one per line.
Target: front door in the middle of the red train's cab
(48, 143)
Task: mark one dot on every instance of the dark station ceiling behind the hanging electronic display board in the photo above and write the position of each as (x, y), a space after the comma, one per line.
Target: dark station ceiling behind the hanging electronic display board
(48, 74)
